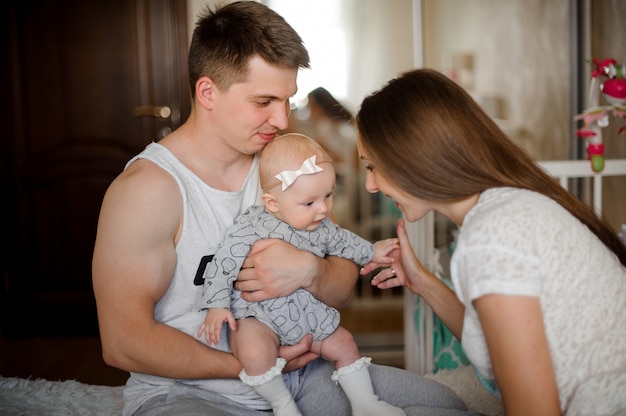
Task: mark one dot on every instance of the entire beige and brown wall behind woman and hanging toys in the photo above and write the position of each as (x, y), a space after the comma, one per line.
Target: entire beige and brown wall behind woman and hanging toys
(521, 68)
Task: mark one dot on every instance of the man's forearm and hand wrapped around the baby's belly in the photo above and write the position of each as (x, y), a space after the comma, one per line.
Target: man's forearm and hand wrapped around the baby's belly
(275, 268)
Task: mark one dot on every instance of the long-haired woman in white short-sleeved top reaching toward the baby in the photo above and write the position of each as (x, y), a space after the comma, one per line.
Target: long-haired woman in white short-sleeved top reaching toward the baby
(540, 280)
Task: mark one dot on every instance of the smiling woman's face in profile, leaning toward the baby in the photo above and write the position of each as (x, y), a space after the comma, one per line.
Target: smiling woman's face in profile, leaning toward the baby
(413, 208)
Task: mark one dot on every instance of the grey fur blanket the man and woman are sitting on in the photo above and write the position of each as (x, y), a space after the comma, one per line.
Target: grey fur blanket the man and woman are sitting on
(26, 397)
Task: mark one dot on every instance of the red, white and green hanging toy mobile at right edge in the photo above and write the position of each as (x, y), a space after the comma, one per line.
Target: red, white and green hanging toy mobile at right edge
(597, 116)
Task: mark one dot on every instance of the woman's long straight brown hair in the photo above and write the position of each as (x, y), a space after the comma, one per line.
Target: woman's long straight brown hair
(429, 137)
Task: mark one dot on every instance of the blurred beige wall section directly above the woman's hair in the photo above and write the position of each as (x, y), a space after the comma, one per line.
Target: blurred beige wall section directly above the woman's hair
(520, 51)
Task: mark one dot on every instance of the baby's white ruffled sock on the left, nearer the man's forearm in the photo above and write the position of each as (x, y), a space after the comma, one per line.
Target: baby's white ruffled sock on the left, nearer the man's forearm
(272, 388)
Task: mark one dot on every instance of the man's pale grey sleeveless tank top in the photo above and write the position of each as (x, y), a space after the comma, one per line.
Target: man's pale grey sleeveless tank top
(207, 213)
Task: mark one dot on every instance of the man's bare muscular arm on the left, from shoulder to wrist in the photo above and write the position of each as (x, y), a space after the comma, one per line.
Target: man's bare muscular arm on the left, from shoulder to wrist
(133, 264)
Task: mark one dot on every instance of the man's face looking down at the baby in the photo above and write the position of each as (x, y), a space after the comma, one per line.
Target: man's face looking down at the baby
(250, 112)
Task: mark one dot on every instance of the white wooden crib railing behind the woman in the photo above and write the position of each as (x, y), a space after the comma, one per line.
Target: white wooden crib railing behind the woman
(418, 345)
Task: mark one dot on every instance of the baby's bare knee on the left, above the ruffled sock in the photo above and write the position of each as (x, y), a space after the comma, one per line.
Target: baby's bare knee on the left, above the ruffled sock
(255, 345)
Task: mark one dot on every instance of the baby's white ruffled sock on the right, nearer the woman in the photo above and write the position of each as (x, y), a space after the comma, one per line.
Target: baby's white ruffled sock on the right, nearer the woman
(355, 381)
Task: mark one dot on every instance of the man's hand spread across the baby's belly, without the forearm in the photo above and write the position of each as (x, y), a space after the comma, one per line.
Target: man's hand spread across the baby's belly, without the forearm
(275, 268)
